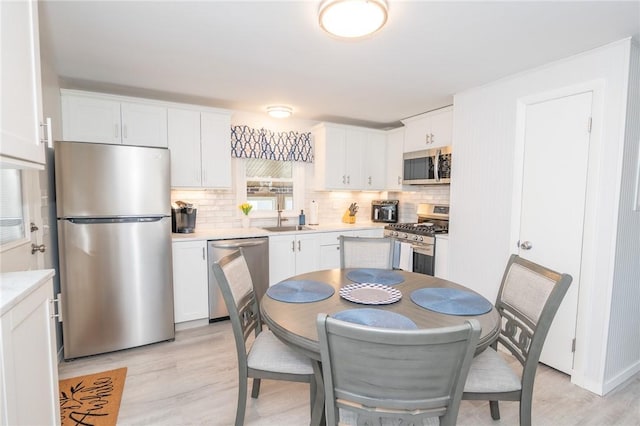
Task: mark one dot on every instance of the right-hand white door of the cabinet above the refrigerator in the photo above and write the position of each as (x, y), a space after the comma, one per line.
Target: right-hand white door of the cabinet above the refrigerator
(144, 125)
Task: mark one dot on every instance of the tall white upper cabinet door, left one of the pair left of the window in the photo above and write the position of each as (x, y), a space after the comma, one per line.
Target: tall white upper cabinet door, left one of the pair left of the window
(184, 144)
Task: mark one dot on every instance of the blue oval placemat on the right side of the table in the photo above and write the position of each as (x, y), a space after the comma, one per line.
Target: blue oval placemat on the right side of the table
(451, 301)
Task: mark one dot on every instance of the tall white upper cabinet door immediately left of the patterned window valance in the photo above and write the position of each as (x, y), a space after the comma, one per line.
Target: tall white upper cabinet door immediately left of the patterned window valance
(215, 142)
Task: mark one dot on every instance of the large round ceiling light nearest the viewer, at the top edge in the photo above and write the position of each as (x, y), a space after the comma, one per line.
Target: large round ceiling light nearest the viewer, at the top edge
(352, 18)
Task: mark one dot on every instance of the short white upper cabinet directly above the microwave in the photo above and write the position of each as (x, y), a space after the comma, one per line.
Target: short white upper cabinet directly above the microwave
(429, 130)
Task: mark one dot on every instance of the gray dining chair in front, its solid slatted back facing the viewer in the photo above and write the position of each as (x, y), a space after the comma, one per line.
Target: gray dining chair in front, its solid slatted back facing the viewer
(378, 375)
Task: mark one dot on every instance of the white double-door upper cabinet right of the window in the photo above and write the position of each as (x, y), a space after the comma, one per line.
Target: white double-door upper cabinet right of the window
(349, 158)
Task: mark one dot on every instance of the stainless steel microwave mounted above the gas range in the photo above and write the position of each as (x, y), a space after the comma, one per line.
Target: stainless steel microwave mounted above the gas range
(427, 167)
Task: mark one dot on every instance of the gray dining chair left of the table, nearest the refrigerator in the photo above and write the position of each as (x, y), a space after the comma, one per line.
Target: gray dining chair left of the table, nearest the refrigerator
(266, 357)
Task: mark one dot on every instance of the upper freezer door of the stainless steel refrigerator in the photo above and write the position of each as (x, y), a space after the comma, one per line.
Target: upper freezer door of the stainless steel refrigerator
(101, 180)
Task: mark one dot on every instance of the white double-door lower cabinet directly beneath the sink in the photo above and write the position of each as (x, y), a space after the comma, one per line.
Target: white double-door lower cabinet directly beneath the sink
(292, 254)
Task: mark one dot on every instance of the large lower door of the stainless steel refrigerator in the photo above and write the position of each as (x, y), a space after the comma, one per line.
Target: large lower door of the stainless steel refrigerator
(116, 282)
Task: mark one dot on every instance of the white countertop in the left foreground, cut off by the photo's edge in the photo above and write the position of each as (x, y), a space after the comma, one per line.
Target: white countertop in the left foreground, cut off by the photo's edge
(16, 286)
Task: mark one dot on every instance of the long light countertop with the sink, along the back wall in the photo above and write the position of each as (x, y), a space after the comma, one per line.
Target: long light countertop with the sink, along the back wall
(203, 233)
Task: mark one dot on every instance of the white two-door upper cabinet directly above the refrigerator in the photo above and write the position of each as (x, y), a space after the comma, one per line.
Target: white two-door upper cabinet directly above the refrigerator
(91, 117)
